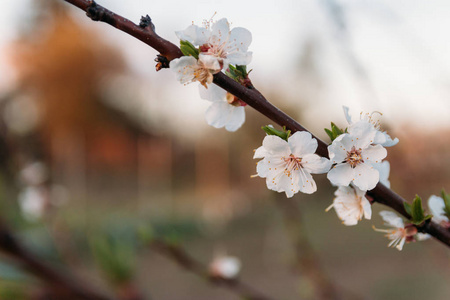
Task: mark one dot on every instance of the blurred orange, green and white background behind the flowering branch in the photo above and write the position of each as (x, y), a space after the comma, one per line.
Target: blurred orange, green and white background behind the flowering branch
(98, 150)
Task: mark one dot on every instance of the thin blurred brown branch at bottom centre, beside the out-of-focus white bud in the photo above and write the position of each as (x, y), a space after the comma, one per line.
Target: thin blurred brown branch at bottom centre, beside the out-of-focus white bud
(184, 260)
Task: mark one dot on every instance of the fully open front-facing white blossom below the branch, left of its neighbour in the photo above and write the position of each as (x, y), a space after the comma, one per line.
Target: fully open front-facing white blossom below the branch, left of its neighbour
(288, 165)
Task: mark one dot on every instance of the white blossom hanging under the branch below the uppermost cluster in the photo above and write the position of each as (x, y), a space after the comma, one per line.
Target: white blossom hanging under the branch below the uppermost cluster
(225, 110)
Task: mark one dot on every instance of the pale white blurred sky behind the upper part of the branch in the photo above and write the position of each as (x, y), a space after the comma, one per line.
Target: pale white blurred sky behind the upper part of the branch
(389, 56)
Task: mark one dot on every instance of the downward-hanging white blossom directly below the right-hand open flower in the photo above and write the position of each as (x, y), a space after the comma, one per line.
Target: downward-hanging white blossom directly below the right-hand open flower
(351, 205)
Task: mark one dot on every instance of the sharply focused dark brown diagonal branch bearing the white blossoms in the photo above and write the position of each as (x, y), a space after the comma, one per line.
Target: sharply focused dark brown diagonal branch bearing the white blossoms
(251, 96)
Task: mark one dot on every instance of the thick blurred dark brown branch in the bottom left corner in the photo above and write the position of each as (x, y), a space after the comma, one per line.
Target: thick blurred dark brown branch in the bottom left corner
(56, 279)
